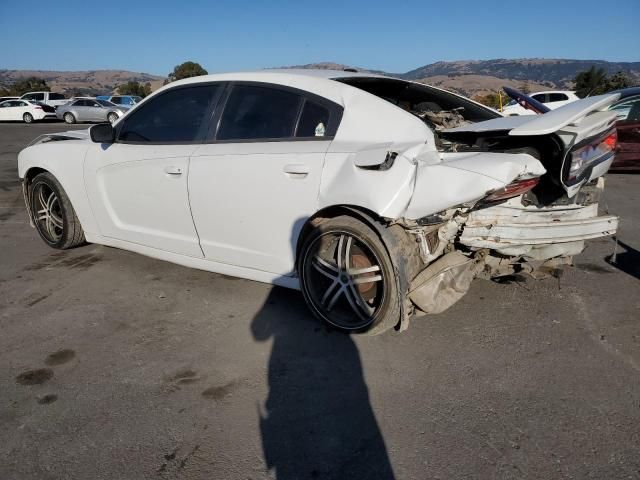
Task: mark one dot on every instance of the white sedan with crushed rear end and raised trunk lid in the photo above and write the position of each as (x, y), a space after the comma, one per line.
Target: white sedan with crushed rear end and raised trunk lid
(372, 195)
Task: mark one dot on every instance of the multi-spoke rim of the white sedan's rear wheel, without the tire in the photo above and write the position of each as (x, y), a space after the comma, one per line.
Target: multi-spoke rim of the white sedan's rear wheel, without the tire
(344, 280)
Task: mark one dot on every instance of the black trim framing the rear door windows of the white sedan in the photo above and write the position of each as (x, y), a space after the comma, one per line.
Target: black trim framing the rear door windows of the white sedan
(335, 115)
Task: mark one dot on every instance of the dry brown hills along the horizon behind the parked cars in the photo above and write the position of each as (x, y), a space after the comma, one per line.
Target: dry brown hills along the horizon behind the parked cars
(469, 77)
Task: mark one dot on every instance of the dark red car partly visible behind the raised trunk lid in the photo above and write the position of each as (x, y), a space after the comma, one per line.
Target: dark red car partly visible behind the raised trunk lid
(628, 126)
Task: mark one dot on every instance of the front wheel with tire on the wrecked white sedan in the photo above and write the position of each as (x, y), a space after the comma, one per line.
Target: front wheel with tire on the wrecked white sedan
(53, 214)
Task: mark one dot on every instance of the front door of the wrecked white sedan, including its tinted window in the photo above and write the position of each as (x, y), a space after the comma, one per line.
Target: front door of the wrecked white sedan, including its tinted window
(137, 186)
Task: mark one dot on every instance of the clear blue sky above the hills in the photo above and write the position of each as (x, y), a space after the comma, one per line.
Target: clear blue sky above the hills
(394, 36)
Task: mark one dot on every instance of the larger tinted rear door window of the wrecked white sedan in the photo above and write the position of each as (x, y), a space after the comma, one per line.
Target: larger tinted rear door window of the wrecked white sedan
(258, 113)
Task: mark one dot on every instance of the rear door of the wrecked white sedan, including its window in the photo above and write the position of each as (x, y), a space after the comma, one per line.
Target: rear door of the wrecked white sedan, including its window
(257, 179)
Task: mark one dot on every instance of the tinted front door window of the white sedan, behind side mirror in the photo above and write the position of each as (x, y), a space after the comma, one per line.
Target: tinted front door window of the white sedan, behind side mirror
(174, 116)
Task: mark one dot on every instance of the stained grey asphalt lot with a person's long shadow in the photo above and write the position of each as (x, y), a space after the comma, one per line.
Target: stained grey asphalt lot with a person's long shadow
(114, 365)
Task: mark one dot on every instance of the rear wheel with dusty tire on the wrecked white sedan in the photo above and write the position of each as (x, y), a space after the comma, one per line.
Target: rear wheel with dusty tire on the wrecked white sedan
(339, 294)
